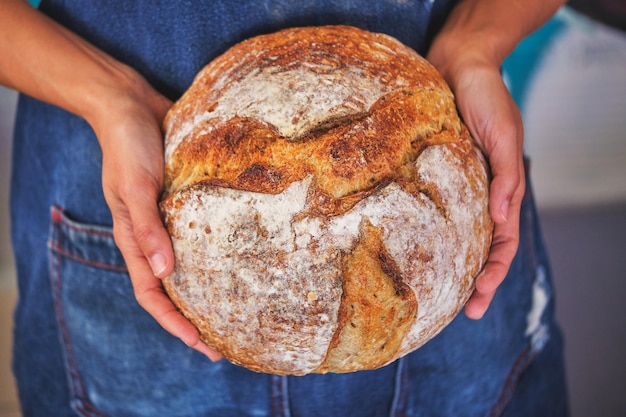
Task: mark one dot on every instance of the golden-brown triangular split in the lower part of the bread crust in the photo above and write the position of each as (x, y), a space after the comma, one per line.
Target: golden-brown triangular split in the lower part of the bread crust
(377, 307)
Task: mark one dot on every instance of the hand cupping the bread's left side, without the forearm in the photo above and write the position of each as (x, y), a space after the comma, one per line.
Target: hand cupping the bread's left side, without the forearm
(132, 173)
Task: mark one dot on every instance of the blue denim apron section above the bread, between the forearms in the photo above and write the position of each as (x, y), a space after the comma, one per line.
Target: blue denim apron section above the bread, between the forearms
(169, 41)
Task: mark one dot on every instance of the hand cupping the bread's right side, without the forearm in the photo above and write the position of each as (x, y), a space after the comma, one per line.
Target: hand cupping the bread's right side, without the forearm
(495, 122)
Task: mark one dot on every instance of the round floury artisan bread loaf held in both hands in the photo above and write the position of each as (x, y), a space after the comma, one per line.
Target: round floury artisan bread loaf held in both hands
(326, 204)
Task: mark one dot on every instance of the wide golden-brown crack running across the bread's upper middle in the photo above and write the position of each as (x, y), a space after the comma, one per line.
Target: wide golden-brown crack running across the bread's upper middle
(348, 156)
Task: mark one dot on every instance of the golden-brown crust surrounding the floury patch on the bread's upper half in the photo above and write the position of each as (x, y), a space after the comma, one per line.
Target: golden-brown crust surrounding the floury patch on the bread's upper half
(346, 152)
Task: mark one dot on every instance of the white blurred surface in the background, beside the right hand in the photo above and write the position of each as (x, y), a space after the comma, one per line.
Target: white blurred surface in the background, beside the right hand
(575, 117)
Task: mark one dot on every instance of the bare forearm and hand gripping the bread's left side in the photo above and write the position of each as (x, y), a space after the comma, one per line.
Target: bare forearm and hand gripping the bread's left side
(46, 61)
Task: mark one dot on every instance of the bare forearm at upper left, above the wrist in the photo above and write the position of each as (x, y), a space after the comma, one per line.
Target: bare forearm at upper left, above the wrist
(46, 61)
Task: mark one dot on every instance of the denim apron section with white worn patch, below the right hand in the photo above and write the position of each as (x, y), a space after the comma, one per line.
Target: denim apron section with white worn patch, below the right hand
(477, 368)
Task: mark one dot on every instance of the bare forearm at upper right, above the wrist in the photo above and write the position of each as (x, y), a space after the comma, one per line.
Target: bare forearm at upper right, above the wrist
(491, 28)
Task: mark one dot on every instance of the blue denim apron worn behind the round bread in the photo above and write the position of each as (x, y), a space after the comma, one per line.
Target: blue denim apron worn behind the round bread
(83, 346)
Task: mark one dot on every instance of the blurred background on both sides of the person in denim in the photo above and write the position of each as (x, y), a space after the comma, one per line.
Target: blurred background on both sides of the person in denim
(569, 79)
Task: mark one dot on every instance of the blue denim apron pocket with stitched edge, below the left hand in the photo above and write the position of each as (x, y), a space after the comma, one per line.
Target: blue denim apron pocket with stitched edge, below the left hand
(119, 361)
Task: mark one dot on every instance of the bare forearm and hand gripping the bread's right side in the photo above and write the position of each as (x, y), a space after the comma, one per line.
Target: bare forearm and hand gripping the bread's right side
(468, 51)
